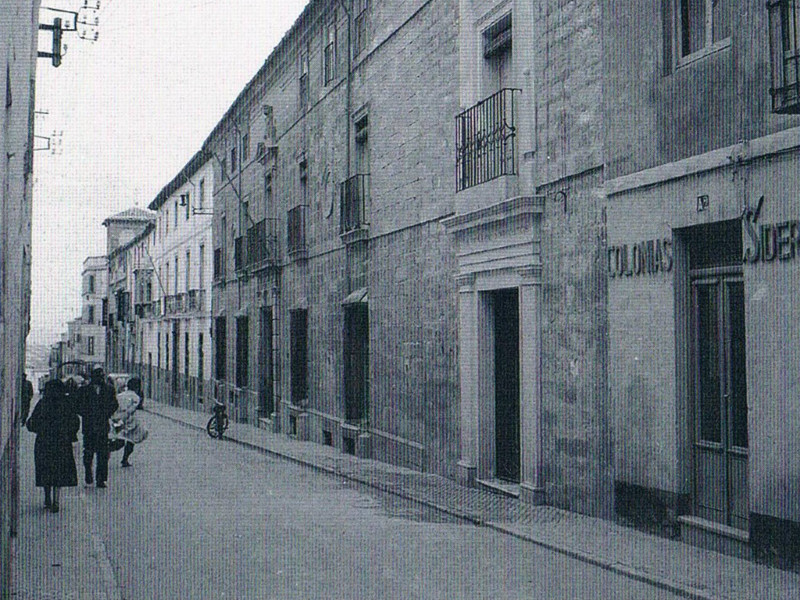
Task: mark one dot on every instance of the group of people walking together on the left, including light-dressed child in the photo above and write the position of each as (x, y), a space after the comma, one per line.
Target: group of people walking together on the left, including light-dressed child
(64, 409)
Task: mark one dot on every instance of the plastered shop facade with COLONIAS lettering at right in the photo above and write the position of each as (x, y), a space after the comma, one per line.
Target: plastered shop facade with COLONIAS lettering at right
(702, 160)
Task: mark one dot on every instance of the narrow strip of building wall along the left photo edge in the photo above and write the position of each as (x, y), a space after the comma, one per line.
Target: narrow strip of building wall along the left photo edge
(18, 52)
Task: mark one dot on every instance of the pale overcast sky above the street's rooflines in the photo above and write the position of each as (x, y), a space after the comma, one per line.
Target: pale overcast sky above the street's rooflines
(123, 114)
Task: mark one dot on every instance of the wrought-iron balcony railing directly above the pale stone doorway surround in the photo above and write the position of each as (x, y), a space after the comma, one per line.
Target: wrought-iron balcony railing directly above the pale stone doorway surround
(486, 140)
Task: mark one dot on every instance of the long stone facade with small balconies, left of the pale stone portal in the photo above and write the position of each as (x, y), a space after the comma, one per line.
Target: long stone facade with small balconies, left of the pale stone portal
(342, 327)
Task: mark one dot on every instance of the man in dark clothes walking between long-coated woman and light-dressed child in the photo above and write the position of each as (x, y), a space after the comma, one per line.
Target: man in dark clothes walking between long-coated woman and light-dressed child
(98, 402)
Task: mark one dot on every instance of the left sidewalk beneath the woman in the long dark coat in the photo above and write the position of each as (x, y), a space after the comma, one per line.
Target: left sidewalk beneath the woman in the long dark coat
(57, 555)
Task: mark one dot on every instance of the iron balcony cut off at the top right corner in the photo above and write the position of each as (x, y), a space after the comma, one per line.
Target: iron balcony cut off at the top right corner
(784, 22)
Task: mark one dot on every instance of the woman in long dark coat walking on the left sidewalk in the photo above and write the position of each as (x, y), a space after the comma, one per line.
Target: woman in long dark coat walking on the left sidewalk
(55, 425)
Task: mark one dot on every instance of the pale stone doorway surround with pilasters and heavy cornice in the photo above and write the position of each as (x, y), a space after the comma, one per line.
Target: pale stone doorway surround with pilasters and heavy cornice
(499, 247)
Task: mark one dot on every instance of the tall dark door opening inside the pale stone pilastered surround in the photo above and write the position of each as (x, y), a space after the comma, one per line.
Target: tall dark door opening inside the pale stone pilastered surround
(506, 384)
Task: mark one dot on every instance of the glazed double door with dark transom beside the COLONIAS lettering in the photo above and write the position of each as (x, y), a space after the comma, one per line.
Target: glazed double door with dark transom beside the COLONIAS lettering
(719, 375)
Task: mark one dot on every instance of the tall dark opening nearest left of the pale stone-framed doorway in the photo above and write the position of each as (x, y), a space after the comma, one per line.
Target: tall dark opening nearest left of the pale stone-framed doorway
(356, 361)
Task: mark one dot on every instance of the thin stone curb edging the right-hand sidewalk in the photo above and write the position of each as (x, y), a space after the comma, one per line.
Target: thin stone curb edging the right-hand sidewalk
(607, 565)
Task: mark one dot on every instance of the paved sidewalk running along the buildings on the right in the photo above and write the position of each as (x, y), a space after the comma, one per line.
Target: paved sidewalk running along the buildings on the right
(685, 570)
